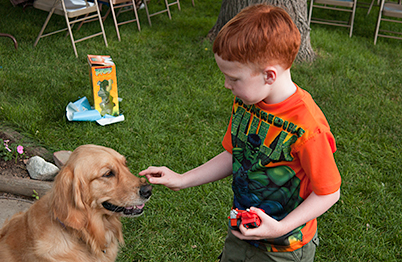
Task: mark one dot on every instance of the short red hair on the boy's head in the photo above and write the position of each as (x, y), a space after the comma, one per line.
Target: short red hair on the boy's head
(260, 34)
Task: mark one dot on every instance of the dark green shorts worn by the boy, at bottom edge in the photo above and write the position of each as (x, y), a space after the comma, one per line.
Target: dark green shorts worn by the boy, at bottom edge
(239, 250)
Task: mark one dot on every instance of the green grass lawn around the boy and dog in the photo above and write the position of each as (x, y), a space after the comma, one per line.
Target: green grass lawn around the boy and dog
(177, 110)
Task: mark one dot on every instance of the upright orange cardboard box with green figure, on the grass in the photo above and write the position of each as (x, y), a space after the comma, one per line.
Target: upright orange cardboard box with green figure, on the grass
(102, 73)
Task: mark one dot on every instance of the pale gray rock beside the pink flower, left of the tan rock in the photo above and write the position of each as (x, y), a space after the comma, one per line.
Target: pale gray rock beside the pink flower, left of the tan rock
(39, 169)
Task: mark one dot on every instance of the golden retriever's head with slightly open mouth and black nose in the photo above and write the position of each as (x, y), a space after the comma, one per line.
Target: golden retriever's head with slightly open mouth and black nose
(96, 181)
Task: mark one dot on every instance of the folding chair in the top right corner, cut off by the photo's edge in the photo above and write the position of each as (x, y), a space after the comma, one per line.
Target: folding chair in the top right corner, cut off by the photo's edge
(389, 12)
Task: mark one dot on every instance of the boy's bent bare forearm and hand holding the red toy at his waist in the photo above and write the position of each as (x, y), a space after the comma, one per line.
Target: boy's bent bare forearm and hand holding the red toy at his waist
(312, 207)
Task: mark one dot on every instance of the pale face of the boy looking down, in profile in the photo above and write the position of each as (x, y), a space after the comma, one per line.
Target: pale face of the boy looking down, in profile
(243, 81)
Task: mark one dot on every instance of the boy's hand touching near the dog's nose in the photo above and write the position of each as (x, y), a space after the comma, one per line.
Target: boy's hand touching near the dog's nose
(162, 176)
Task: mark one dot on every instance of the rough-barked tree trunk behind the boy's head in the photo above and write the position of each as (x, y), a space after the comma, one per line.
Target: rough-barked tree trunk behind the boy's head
(297, 10)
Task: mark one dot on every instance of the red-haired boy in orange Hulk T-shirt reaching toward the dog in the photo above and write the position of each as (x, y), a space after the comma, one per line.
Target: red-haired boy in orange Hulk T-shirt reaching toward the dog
(278, 145)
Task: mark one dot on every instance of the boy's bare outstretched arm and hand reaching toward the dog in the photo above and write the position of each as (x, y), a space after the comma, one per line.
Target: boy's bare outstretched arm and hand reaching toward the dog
(215, 169)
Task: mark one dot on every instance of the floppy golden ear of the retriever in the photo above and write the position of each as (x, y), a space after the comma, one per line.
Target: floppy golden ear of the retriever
(67, 203)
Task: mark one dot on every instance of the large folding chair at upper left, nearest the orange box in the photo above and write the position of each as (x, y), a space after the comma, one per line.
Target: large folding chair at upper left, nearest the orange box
(74, 11)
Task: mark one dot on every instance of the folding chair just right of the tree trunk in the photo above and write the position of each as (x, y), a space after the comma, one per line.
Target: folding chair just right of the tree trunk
(334, 5)
